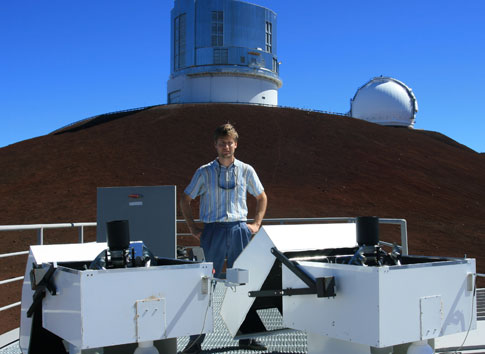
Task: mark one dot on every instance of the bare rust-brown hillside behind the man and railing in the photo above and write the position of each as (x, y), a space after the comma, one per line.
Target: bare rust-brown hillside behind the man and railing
(311, 164)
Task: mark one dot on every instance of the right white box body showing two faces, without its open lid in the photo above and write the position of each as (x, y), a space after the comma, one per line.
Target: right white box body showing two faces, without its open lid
(385, 306)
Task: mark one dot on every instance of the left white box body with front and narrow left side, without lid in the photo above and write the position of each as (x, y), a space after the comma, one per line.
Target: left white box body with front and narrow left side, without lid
(97, 308)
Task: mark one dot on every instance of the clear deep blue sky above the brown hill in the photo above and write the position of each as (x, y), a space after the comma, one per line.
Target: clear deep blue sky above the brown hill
(65, 60)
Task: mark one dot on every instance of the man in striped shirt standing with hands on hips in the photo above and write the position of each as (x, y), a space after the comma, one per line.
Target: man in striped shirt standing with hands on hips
(222, 186)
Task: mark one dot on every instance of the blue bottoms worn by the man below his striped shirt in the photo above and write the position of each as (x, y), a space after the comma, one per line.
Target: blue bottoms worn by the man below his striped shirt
(224, 240)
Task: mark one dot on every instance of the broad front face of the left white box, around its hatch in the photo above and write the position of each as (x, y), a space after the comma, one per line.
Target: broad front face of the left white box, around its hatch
(181, 287)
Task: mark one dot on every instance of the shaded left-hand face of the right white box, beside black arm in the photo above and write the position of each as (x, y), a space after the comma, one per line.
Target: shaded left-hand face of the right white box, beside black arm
(352, 316)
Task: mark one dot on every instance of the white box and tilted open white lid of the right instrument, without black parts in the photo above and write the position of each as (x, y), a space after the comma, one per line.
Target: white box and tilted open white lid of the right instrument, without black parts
(374, 306)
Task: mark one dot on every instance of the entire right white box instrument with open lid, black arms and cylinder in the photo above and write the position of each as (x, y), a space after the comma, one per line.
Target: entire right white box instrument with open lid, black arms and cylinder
(335, 282)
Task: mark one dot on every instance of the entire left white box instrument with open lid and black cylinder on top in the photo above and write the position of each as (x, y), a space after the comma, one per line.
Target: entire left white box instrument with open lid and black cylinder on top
(83, 297)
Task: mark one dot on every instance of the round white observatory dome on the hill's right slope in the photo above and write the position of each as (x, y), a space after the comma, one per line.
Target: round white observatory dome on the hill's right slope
(385, 101)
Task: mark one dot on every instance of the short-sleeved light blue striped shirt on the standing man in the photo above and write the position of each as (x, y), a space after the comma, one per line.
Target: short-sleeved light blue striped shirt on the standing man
(223, 191)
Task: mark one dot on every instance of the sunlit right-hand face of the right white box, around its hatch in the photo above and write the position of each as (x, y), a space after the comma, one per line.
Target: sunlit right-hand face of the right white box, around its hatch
(401, 290)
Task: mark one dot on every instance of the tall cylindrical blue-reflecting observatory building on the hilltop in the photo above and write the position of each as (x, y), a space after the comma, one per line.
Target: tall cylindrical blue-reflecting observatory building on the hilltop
(223, 51)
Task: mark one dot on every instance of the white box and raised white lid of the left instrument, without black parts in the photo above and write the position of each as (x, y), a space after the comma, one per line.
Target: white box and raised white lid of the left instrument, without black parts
(99, 308)
